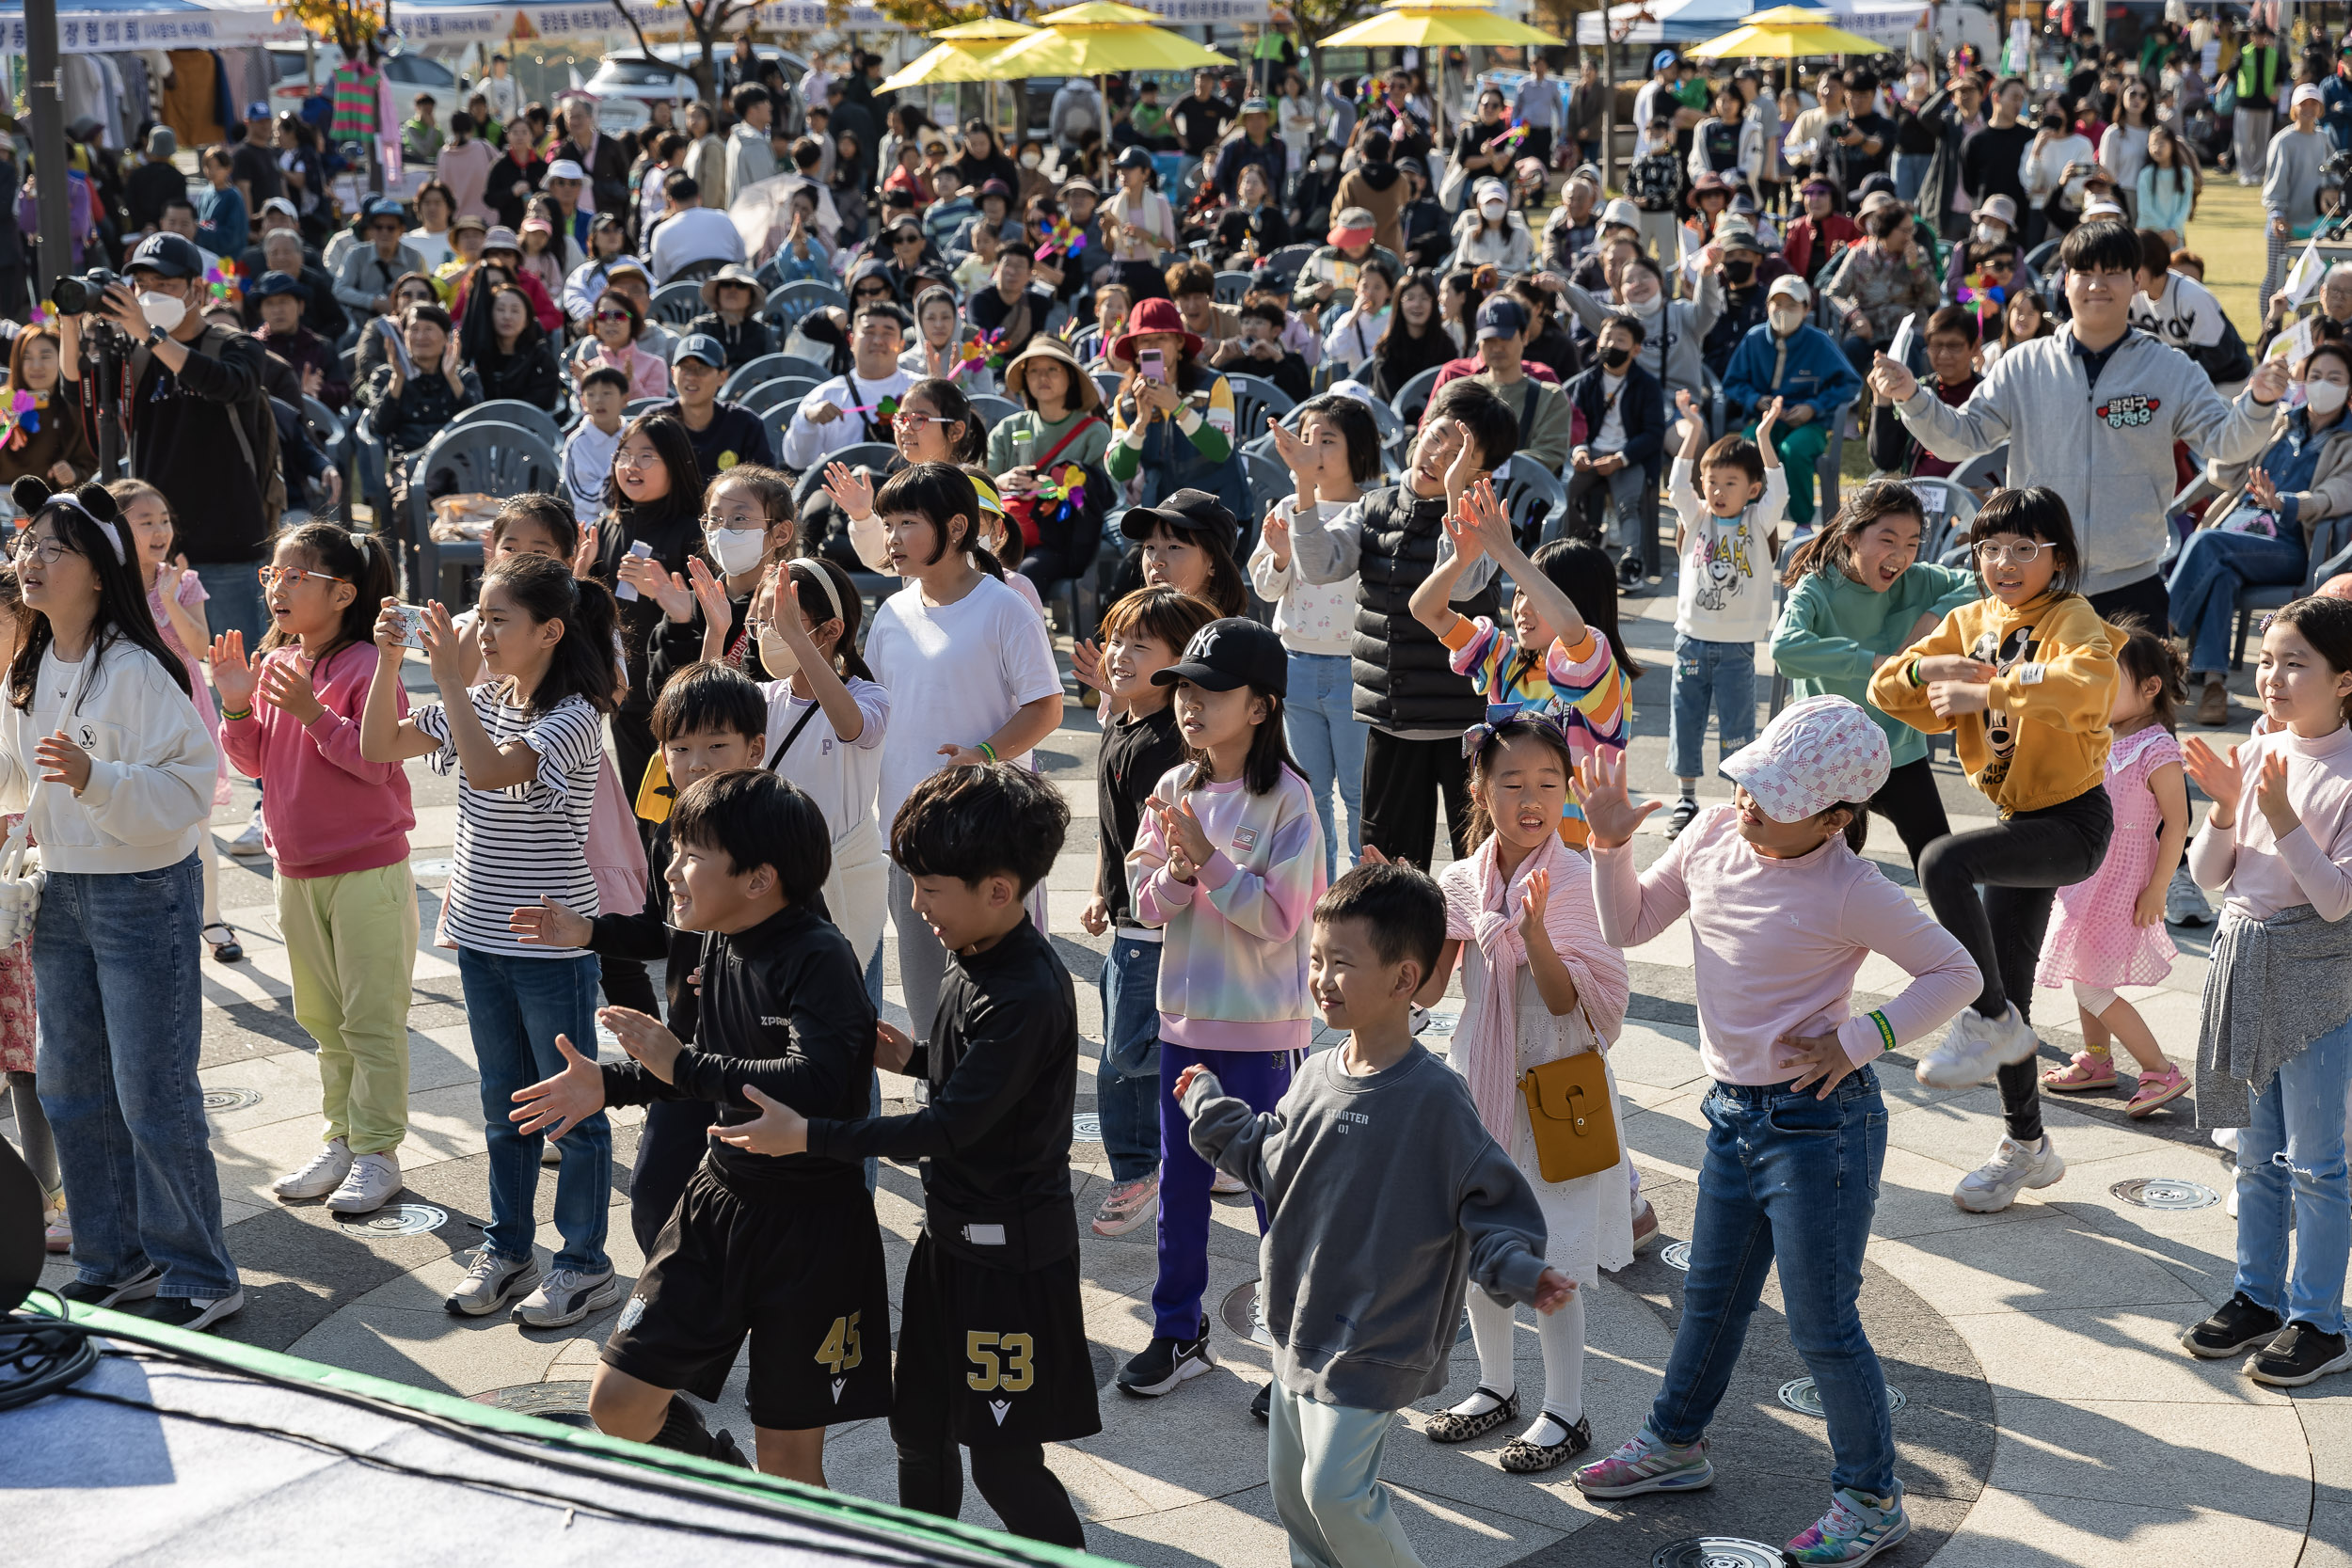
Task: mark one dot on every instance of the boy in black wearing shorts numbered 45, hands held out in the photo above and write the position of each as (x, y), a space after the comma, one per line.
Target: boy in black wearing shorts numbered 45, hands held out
(782, 1247)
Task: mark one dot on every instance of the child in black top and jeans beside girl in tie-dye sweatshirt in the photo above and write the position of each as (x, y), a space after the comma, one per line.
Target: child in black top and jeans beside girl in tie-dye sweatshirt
(1142, 636)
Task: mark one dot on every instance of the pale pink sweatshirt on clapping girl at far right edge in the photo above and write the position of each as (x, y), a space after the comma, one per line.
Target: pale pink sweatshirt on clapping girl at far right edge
(2269, 873)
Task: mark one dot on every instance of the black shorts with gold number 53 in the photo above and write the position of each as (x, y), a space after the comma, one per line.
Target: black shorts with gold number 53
(991, 1355)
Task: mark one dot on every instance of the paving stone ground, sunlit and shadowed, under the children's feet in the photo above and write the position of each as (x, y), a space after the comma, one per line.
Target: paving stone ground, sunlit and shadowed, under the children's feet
(2050, 1416)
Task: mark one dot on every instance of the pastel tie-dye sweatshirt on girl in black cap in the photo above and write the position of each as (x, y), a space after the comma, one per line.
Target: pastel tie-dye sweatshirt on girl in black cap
(1234, 965)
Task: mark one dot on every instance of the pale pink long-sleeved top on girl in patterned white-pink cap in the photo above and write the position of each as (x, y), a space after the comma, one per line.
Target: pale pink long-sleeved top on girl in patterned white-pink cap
(1777, 944)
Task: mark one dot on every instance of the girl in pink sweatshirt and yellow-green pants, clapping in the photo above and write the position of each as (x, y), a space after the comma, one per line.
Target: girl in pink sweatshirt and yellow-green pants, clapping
(338, 829)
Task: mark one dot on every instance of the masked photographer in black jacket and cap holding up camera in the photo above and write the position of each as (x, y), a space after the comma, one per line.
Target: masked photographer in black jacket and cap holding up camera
(201, 427)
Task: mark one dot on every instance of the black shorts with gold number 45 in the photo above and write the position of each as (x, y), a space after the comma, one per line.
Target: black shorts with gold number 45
(799, 1273)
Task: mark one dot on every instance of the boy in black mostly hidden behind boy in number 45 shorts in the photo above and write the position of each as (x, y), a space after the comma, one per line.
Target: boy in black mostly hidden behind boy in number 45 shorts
(707, 721)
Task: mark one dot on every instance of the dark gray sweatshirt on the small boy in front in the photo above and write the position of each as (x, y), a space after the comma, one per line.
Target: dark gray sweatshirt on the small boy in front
(1382, 1195)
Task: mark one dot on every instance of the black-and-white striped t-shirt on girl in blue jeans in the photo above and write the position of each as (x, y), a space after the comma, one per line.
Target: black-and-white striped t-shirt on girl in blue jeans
(526, 840)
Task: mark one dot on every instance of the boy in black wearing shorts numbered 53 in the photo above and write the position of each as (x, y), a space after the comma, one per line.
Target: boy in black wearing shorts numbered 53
(991, 1332)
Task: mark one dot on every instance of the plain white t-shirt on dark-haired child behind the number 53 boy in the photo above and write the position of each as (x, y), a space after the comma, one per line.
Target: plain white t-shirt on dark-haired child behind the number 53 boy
(956, 676)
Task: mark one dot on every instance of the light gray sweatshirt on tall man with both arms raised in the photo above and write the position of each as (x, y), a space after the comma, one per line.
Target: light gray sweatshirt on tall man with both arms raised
(2109, 453)
